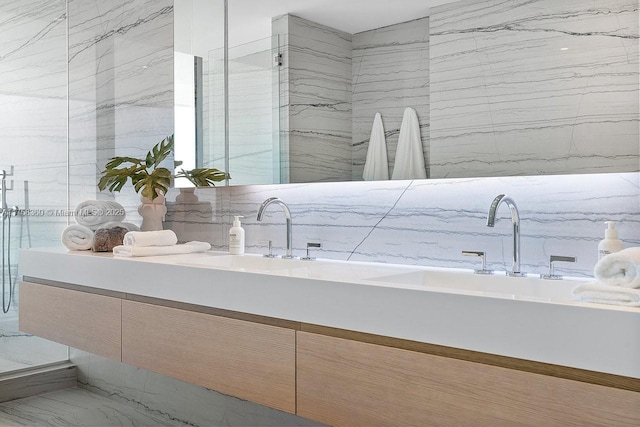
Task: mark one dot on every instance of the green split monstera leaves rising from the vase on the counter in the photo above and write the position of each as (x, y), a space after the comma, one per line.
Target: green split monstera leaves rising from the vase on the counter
(149, 179)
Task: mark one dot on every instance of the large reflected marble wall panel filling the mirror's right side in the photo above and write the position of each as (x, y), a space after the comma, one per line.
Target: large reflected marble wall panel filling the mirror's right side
(534, 87)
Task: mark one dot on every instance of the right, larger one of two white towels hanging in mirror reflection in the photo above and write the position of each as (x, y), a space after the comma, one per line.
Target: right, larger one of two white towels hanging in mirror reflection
(409, 162)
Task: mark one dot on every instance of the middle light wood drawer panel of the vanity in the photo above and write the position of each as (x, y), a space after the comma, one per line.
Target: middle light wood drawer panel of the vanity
(248, 360)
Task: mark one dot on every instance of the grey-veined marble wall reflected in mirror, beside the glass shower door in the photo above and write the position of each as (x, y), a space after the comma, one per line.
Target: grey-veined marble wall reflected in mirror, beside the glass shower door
(316, 100)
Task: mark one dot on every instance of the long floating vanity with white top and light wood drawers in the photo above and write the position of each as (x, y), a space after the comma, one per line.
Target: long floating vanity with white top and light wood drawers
(347, 342)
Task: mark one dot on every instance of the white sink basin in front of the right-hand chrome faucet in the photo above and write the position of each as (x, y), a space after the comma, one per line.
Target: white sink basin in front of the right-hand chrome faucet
(490, 285)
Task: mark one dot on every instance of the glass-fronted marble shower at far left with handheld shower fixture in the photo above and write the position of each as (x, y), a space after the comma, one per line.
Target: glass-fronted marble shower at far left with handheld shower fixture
(33, 159)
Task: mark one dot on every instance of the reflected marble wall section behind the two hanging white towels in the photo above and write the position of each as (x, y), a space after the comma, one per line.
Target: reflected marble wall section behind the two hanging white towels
(390, 72)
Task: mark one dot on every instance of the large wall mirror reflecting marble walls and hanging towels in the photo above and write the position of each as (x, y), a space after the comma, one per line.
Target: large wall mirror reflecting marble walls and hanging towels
(317, 89)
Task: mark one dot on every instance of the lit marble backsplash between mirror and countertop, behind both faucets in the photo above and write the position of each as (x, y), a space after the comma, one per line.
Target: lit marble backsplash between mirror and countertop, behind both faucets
(427, 222)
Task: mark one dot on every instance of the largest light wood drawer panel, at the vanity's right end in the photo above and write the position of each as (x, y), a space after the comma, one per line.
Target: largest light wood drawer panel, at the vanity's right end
(344, 382)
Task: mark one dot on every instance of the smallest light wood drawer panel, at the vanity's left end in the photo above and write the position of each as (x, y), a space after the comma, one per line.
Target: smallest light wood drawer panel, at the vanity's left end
(81, 320)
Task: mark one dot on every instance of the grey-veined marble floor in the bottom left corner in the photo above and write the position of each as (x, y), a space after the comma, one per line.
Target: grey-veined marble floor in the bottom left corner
(77, 407)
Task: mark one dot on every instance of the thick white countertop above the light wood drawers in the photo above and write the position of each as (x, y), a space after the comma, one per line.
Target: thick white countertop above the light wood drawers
(545, 327)
